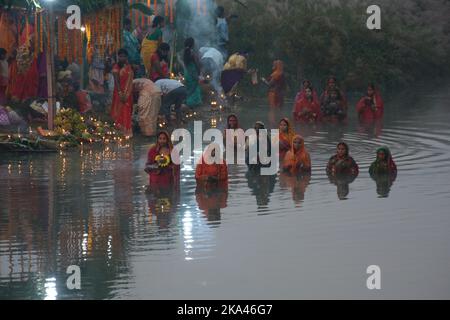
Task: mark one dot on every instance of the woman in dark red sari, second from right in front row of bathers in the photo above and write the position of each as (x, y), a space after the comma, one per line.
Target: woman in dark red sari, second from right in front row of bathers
(342, 163)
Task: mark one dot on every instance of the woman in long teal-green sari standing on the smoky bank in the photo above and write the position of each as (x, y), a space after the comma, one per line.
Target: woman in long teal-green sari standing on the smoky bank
(191, 74)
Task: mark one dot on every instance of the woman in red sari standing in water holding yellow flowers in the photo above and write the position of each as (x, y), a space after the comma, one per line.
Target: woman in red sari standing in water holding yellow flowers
(163, 172)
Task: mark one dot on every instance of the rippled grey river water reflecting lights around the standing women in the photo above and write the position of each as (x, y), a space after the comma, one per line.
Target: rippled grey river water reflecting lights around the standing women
(268, 238)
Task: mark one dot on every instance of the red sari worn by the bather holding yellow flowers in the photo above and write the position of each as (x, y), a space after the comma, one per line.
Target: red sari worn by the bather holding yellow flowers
(168, 176)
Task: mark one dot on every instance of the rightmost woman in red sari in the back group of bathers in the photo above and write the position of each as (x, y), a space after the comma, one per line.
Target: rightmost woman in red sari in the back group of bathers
(371, 107)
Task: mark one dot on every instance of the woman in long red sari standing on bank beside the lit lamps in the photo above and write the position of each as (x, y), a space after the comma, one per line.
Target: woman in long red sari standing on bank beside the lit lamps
(122, 105)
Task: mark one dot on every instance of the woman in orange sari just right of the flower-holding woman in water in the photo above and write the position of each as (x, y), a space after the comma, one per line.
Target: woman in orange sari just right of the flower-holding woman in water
(212, 170)
